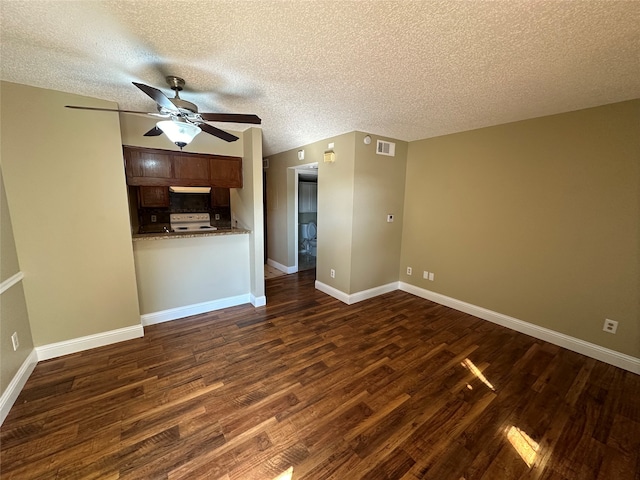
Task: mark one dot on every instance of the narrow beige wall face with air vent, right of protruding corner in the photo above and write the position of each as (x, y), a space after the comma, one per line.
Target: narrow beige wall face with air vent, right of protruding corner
(378, 191)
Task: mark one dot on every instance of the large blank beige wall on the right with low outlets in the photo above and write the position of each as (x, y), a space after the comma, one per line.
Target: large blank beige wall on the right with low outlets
(539, 220)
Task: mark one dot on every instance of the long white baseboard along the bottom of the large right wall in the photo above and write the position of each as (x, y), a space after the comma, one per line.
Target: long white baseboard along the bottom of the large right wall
(621, 360)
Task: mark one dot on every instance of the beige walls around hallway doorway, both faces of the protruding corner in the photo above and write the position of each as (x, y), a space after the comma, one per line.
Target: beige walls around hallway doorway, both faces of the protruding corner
(355, 194)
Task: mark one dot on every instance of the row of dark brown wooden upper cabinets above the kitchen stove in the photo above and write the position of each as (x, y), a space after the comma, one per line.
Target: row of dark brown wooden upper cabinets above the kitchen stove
(154, 167)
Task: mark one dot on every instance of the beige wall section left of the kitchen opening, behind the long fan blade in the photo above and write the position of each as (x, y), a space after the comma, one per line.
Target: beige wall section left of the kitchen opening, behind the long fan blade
(66, 192)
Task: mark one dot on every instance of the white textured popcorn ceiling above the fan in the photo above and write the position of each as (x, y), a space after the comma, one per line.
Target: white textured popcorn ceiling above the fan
(314, 69)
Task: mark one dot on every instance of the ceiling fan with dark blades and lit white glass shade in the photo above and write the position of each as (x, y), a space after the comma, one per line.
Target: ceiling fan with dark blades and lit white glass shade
(182, 119)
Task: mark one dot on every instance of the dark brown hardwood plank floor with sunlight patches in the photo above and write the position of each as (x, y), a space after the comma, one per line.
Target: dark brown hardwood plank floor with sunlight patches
(395, 387)
